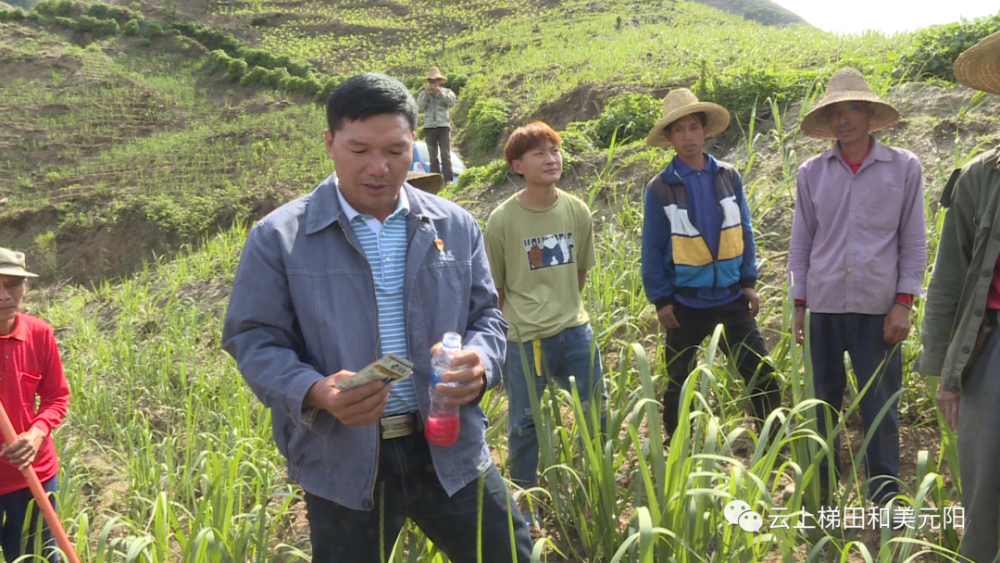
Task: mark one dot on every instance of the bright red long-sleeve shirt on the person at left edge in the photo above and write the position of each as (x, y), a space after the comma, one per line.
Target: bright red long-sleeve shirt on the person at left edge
(34, 391)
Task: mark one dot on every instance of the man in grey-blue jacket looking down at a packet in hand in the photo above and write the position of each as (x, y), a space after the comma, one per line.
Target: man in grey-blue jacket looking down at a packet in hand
(364, 266)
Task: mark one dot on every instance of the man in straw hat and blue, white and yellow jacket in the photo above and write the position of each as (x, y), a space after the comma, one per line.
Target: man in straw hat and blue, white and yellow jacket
(699, 264)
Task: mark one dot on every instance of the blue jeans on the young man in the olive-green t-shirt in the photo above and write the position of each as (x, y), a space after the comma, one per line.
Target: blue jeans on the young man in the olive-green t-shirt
(565, 354)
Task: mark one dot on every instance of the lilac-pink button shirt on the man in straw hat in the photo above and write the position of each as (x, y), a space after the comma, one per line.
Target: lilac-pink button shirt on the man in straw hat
(858, 239)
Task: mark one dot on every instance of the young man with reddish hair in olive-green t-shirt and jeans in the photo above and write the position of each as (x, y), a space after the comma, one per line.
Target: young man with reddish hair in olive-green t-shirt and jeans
(540, 244)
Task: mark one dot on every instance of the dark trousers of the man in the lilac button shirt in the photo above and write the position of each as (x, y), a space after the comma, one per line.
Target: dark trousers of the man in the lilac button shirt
(861, 337)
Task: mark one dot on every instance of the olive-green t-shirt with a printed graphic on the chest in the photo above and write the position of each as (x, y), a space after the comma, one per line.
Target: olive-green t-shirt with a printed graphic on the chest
(536, 257)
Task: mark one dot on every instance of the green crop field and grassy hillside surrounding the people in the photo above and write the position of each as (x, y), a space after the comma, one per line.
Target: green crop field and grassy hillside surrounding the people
(134, 161)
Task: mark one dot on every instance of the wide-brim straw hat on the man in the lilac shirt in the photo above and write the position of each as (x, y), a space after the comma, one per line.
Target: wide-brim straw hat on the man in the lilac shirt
(847, 85)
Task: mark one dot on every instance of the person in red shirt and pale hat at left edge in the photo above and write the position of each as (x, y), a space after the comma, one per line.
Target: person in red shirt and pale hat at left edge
(35, 395)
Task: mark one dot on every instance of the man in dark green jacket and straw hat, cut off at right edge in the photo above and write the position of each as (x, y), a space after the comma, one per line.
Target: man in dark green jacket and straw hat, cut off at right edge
(961, 343)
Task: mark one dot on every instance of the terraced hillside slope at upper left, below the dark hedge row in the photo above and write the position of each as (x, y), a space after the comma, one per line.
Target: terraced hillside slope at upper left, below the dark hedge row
(112, 139)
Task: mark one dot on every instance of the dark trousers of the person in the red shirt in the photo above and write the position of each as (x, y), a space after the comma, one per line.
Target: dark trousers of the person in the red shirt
(13, 510)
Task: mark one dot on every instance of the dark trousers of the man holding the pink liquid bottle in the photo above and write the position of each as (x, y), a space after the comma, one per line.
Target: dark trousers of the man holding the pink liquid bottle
(462, 526)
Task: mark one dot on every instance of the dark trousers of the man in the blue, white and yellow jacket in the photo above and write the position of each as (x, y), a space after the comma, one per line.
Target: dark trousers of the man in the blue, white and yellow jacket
(745, 342)
